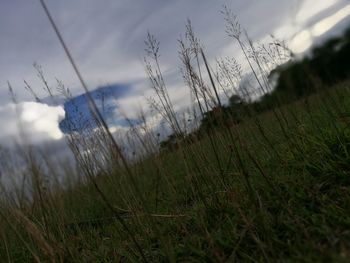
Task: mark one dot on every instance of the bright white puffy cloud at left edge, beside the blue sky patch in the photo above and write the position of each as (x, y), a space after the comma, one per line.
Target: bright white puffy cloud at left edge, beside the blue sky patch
(30, 122)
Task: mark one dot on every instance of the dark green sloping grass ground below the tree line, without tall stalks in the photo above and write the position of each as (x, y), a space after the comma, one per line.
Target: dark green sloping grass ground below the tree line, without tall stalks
(274, 193)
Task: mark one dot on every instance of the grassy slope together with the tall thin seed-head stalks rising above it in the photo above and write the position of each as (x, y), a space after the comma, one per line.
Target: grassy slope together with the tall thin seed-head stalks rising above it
(257, 180)
